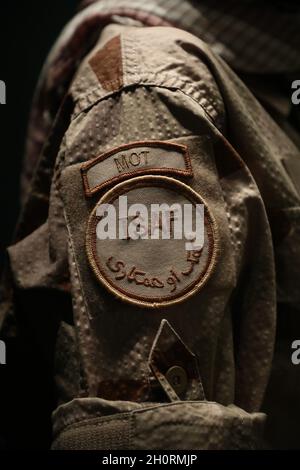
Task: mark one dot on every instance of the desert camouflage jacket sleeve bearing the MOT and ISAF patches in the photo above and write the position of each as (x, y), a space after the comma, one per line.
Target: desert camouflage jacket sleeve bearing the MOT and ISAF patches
(148, 121)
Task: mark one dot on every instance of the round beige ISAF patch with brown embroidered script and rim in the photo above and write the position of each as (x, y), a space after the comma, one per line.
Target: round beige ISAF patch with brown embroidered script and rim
(152, 241)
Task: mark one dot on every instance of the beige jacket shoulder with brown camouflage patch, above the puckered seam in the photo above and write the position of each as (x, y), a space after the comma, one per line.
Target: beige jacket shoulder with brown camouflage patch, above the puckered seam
(158, 56)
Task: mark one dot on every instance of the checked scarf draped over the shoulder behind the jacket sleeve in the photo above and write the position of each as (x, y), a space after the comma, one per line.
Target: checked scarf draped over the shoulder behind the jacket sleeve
(251, 37)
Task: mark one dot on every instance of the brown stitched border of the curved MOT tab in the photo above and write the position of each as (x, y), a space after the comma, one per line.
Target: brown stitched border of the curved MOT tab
(164, 145)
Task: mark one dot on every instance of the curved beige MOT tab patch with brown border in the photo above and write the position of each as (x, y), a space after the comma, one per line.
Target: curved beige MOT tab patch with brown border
(133, 159)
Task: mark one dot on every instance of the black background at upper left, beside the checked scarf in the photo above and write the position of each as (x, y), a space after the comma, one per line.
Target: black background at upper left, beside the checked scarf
(28, 30)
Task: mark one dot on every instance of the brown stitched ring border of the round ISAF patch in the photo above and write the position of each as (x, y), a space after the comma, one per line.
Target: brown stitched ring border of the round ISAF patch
(143, 300)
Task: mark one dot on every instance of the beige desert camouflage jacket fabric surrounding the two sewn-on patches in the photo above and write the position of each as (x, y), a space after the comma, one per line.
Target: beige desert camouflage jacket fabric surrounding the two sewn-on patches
(113, 358)
